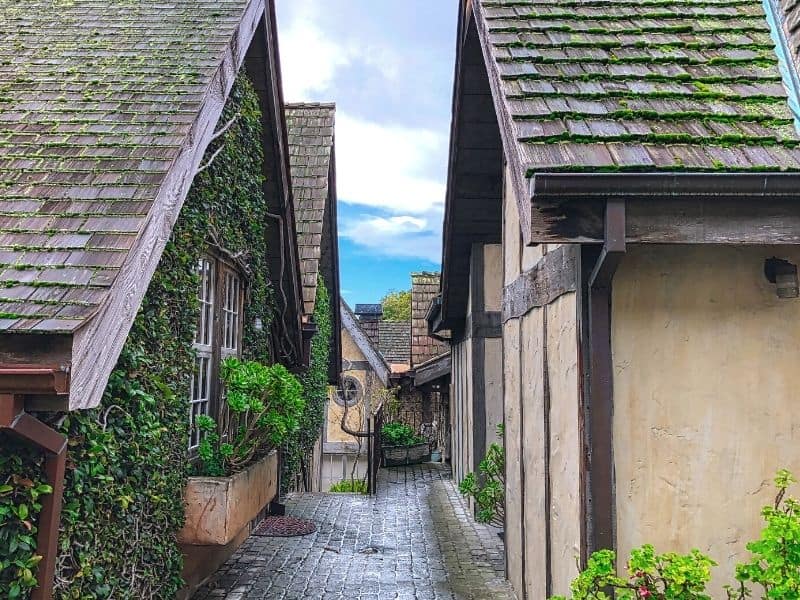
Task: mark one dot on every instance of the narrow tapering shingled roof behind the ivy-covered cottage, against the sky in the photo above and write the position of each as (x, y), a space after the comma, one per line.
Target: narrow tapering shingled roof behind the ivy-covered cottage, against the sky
(311, 130)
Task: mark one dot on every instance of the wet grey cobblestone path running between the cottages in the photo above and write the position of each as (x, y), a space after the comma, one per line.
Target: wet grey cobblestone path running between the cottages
(416, 540)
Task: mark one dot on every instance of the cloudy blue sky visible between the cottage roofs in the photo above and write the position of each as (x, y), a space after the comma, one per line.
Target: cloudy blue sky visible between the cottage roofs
(389, 68)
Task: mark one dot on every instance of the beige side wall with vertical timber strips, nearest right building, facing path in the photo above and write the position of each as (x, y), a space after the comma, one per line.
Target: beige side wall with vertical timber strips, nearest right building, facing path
(542, 419)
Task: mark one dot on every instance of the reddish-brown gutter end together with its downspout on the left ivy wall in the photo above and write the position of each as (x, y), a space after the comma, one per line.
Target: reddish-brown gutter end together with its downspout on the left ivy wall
(16, 422)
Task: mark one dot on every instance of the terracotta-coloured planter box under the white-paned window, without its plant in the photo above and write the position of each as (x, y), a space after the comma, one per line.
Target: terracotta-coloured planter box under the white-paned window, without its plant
(218, 508)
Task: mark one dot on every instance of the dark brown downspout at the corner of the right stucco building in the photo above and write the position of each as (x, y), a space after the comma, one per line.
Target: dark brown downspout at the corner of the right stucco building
(600, 407)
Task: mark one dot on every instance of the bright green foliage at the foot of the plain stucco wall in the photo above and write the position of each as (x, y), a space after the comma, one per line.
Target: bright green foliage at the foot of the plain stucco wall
(775, 564)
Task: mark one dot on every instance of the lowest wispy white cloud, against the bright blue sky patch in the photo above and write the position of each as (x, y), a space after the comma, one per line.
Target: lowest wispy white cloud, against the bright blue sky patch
(398, 236)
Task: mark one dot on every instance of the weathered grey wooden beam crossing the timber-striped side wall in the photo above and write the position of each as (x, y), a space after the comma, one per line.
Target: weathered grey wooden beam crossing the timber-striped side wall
(552, 277)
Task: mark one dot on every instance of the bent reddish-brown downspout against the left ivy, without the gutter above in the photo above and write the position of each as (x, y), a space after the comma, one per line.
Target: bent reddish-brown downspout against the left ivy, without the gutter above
(15, 421)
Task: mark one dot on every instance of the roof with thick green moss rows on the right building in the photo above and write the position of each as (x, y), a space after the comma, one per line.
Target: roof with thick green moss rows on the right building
(629, 85)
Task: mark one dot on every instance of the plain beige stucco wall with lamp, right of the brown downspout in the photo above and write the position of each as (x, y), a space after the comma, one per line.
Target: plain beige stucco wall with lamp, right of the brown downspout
(705, 397)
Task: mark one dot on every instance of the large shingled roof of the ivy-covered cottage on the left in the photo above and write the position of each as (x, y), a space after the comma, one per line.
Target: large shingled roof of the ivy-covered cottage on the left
(99, 102)
